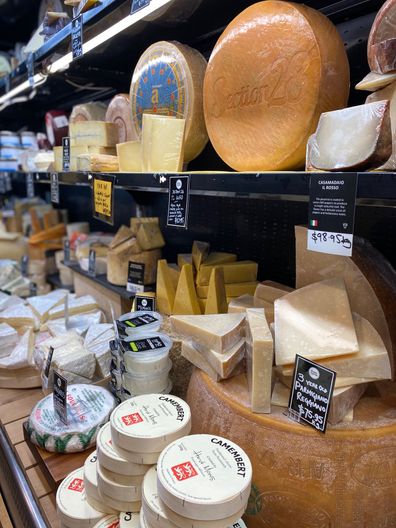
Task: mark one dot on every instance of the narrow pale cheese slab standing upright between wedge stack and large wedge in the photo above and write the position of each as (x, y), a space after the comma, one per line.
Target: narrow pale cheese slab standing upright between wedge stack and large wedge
(260, 356)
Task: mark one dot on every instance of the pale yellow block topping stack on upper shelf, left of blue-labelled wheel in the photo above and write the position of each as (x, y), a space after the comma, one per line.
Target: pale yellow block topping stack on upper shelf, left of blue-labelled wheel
(93, 133)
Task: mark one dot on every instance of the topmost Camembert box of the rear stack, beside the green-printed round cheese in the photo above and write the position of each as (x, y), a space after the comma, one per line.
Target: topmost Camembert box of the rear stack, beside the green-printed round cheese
(148, 423)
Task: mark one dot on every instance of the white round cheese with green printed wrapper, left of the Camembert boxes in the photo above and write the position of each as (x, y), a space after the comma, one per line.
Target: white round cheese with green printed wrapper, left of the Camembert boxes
(88, 408)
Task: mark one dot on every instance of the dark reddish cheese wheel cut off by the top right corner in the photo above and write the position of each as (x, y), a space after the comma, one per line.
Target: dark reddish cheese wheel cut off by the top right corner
(380, 45)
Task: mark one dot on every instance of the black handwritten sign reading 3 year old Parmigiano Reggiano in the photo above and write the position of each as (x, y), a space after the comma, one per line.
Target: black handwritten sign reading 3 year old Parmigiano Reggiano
(311, 393)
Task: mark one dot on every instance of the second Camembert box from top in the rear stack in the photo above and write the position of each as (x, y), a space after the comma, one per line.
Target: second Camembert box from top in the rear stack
(109, 458)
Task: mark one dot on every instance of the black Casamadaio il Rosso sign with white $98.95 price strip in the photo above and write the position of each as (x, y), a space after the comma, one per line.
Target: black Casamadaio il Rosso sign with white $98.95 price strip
(332, 201)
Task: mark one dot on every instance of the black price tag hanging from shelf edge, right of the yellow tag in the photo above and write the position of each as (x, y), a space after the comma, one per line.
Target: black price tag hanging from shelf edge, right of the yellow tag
(179, 198)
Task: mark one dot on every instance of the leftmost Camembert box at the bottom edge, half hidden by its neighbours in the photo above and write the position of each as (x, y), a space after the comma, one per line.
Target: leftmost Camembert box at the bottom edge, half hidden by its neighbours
(71, 502)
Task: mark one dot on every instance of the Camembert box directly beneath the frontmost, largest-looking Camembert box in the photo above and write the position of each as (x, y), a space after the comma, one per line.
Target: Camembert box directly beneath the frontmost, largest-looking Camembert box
(158, 515)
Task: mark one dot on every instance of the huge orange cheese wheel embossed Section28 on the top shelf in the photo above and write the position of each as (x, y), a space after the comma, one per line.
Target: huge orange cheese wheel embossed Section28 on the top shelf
(274, 70)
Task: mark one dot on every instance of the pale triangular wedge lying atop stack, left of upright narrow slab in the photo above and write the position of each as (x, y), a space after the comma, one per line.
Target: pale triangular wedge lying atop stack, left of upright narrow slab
(217, 332)
